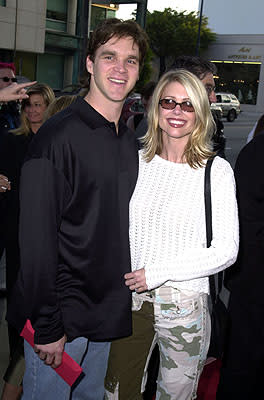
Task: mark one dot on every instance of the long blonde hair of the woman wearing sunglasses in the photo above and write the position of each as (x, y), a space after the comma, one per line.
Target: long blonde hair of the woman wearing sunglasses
(199, 145)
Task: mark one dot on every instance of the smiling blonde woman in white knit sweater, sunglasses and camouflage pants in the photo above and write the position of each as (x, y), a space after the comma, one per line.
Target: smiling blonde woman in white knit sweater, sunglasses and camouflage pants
(170, 260)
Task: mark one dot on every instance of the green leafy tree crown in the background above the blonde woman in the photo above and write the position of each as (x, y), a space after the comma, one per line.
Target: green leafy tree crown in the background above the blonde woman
(173, 33)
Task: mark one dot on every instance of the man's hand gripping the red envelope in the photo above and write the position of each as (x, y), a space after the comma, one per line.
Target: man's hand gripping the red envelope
(51, 353)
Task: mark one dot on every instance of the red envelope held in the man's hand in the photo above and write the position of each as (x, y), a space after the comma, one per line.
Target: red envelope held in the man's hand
(69, 370)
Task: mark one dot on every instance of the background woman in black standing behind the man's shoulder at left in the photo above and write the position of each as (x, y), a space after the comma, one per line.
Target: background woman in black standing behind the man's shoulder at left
(12, 153)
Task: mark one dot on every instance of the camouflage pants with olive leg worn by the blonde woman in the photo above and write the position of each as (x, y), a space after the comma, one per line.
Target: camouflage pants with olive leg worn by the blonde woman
(180, 323)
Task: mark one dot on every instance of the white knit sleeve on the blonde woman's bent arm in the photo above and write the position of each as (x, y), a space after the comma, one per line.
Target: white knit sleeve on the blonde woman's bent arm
(193, 263)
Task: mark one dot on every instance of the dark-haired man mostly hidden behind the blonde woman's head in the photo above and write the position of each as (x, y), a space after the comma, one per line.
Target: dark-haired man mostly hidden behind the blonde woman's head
(205, 71)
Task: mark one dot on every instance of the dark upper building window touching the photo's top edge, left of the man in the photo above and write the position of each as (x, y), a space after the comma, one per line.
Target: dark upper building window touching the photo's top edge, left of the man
(56, 15)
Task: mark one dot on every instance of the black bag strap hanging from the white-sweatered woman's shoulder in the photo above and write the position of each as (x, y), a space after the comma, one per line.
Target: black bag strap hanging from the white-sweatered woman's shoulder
(209, 230)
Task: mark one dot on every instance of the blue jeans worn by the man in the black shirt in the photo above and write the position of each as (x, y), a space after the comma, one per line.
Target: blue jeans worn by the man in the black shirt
(41, 382)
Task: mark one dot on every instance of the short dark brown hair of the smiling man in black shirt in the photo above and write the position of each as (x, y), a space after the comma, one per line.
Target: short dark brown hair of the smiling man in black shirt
(114, 27)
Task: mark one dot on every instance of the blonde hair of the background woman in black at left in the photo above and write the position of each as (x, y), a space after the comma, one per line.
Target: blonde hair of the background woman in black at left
(48, 96)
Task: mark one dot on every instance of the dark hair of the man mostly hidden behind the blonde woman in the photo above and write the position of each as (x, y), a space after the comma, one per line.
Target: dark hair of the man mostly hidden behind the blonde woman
(197, 65)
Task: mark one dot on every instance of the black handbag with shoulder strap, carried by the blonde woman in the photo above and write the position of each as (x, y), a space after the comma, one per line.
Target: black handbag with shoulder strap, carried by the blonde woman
(219, 314)
